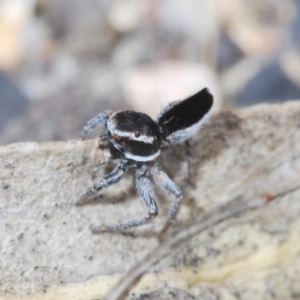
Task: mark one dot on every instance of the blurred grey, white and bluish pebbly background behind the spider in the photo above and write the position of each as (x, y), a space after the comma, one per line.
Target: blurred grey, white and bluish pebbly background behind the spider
(64, 61)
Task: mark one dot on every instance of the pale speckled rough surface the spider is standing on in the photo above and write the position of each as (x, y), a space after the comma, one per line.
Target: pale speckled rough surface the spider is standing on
(48, 252)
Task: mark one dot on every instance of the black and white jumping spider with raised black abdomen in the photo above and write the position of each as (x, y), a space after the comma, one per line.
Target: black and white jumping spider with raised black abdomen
(137, 140)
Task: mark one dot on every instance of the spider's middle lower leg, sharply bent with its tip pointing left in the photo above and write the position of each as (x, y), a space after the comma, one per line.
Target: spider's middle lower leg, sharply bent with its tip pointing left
(145, 190)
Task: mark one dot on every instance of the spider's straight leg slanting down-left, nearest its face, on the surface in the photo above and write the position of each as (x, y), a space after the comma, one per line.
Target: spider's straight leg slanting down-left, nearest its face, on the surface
(112, 178)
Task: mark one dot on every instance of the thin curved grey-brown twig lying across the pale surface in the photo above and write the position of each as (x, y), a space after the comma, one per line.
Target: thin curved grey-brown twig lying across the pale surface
(217, 215)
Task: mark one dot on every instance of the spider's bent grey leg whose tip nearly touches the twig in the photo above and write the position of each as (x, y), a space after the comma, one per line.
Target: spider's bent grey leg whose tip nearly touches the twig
(164, 181)
